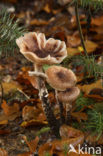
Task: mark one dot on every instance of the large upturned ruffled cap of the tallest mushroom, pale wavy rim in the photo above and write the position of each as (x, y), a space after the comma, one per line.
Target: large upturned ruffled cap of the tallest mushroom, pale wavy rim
(36, 48)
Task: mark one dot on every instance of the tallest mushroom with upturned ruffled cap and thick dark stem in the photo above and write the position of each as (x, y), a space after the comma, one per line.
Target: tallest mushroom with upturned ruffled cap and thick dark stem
(39, 51)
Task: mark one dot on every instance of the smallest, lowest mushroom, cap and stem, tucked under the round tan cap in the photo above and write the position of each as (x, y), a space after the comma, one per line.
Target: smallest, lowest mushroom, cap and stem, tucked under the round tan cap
(67, 97)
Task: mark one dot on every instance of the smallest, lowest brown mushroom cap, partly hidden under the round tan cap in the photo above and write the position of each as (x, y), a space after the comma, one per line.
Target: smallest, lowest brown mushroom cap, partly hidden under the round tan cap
(69, 95)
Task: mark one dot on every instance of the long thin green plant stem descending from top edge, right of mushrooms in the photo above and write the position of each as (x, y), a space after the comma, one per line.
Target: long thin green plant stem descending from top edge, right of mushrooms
(79, 28)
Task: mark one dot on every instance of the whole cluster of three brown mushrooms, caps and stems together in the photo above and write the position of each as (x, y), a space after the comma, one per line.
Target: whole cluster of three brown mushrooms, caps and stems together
(39, 50)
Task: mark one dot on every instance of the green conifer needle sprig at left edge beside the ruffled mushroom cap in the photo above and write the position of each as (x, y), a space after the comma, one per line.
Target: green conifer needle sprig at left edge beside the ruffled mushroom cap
(9, 31)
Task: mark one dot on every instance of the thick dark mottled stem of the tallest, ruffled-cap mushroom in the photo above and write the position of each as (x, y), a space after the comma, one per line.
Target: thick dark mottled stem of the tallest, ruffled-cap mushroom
(43, 94)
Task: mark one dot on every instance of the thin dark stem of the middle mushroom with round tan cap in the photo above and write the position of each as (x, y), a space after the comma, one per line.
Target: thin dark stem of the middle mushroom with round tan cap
(62, 119)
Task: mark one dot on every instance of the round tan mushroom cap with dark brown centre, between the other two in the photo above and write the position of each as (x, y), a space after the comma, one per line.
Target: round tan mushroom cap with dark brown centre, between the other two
(60, 78)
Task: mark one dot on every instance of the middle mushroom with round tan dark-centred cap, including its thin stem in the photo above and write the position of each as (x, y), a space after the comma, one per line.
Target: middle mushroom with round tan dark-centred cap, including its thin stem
(60, 79)
